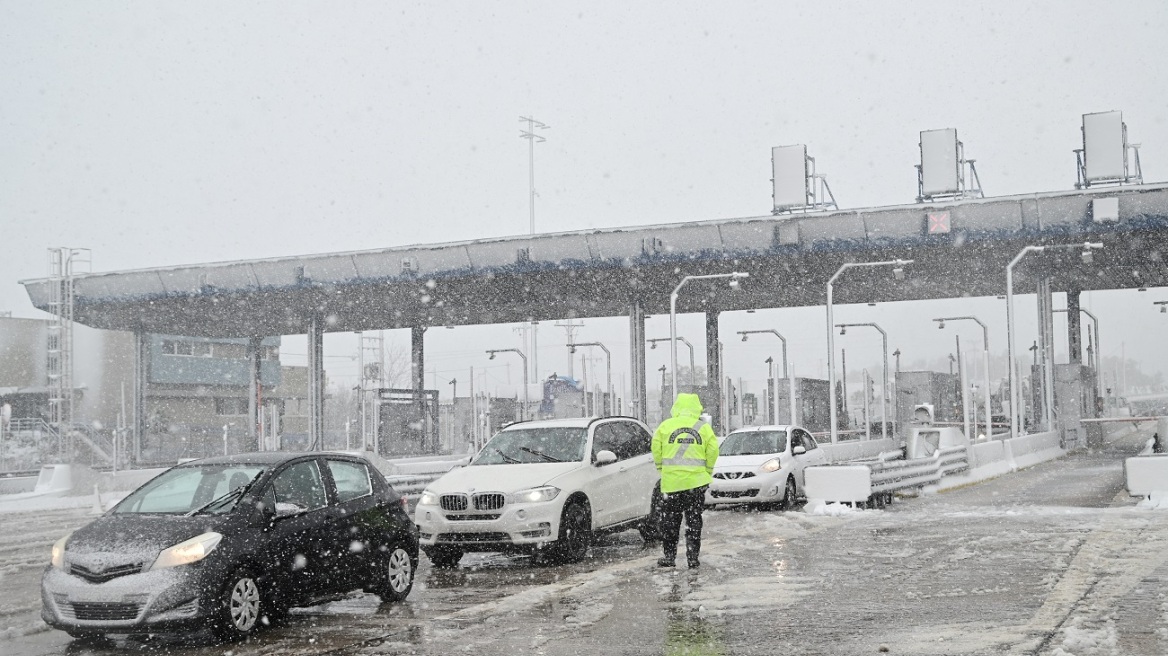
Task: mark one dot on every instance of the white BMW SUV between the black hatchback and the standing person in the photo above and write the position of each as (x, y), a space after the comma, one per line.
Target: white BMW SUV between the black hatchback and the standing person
(544, 488)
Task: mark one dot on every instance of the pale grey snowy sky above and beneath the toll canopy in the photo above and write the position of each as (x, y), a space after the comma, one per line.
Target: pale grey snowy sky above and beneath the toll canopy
(163, 134)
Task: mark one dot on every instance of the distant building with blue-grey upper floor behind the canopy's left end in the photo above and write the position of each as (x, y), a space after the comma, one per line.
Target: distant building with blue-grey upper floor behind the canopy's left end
(197, 388)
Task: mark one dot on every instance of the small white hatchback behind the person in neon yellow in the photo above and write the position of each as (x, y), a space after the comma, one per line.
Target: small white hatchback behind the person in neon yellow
(763, 465)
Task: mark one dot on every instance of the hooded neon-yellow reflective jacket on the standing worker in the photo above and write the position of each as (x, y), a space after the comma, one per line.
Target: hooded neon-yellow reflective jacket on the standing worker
(685, 449)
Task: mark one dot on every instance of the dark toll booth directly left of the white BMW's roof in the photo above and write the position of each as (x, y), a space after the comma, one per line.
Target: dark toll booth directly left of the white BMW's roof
(407, 423)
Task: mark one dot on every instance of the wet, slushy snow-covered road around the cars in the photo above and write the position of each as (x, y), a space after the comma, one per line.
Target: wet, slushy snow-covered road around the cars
(1054, 561)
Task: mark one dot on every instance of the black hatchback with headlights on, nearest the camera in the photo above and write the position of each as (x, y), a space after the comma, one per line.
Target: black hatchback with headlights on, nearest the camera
(232, 543)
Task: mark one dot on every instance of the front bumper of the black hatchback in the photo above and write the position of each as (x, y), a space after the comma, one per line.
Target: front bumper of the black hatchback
(162, 602)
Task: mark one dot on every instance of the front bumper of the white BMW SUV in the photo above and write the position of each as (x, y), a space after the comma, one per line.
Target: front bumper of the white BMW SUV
(517, 527)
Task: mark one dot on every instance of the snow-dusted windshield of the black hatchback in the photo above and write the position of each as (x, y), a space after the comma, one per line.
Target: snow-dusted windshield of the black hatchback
(180, 491)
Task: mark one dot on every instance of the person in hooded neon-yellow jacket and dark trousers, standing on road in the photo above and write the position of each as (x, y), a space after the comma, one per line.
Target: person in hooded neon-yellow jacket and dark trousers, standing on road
(685, 450)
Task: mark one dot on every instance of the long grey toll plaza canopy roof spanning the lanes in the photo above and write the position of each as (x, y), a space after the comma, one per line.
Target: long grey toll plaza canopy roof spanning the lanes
(961, 249)
